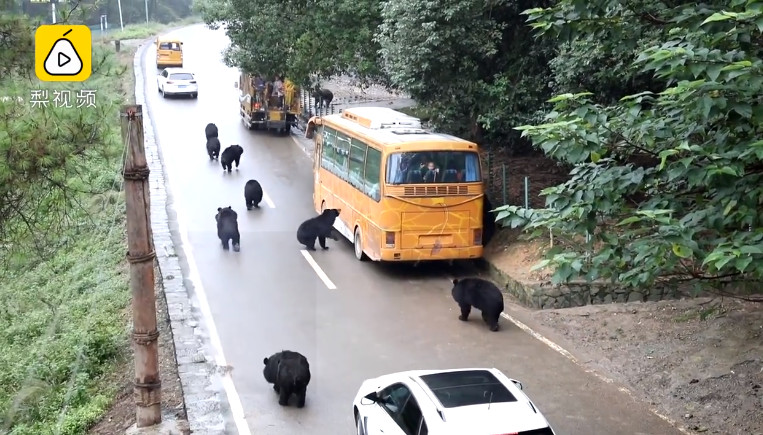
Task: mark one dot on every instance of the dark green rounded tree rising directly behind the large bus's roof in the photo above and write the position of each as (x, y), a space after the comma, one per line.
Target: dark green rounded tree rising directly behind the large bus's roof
(474, 63)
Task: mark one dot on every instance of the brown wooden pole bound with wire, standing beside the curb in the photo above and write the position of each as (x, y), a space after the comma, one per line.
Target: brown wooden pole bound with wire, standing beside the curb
(141, 254)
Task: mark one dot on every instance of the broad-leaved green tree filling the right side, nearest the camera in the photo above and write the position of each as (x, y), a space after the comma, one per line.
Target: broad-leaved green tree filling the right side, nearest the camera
(666, 186)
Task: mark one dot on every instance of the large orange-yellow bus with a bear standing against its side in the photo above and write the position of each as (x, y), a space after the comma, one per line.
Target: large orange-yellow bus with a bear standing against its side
(405, 194)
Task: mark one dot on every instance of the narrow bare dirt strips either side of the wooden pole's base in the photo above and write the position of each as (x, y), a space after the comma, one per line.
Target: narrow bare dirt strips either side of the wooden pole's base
(121, 415)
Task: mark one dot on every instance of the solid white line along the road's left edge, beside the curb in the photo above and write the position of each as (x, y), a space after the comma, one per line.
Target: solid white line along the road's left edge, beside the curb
(234, 400)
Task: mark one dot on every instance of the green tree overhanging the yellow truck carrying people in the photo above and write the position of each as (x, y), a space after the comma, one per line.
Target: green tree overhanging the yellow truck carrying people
(298, 38)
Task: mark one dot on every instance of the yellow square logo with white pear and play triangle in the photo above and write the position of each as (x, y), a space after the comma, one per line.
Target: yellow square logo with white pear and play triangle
(63, 53)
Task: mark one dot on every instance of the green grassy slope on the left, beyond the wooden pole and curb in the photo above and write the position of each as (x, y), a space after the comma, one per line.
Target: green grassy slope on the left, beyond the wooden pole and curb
(64, 321)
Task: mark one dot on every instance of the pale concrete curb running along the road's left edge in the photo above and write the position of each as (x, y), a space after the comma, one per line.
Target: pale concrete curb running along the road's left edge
(202, 401)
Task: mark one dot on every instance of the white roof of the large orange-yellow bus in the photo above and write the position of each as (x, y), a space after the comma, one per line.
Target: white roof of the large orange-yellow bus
(387, 127)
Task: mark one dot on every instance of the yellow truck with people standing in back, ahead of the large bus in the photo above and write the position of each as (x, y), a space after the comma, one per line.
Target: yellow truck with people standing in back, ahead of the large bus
(262, 106)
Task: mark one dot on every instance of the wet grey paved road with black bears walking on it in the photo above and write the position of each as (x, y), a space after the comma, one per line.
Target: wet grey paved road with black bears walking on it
(379, 319)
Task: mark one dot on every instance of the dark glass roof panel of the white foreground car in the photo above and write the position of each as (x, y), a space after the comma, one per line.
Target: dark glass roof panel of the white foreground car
(465, 388)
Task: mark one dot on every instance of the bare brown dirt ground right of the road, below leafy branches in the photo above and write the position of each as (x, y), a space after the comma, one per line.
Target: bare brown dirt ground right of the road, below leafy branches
(697, 361)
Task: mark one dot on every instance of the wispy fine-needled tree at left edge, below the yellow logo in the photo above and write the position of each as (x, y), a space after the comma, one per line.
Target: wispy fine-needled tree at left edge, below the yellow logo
(44, 150)
